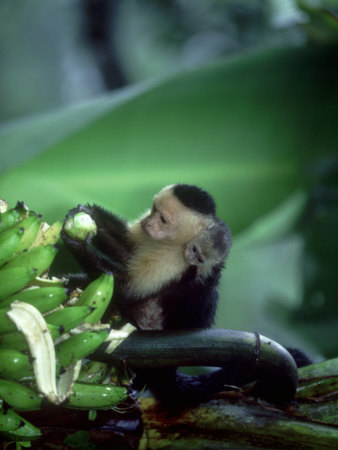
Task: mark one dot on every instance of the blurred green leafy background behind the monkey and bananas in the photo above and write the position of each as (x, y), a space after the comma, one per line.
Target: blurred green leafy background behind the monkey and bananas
(108, 101)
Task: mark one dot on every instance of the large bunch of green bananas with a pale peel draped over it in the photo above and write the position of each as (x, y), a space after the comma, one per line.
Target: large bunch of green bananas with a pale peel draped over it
(37, 348)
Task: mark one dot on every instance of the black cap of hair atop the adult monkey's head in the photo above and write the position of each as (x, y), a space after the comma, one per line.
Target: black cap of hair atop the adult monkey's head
(195, 198)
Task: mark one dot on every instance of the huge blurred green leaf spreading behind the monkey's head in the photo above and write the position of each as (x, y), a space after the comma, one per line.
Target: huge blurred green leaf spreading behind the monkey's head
(242, 128)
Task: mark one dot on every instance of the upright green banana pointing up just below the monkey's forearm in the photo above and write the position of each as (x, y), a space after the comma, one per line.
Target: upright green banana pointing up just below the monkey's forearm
(97, 295)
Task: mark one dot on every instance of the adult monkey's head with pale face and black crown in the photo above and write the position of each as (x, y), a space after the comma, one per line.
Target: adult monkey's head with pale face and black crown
(179, 213)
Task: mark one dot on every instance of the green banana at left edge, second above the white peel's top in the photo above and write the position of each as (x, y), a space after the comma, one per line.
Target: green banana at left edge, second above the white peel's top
(13, 280)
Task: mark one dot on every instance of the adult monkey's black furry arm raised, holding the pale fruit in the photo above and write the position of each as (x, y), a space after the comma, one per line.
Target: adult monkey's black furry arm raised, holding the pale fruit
(108, 250)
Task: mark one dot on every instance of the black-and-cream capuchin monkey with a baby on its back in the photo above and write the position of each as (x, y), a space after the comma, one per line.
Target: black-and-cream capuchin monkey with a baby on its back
(167, 267)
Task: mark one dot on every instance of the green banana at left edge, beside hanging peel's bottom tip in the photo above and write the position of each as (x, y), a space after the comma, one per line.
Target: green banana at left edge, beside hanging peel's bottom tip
(19, 396)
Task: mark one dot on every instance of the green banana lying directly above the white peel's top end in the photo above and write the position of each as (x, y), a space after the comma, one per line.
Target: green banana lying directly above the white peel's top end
(43, 298)
